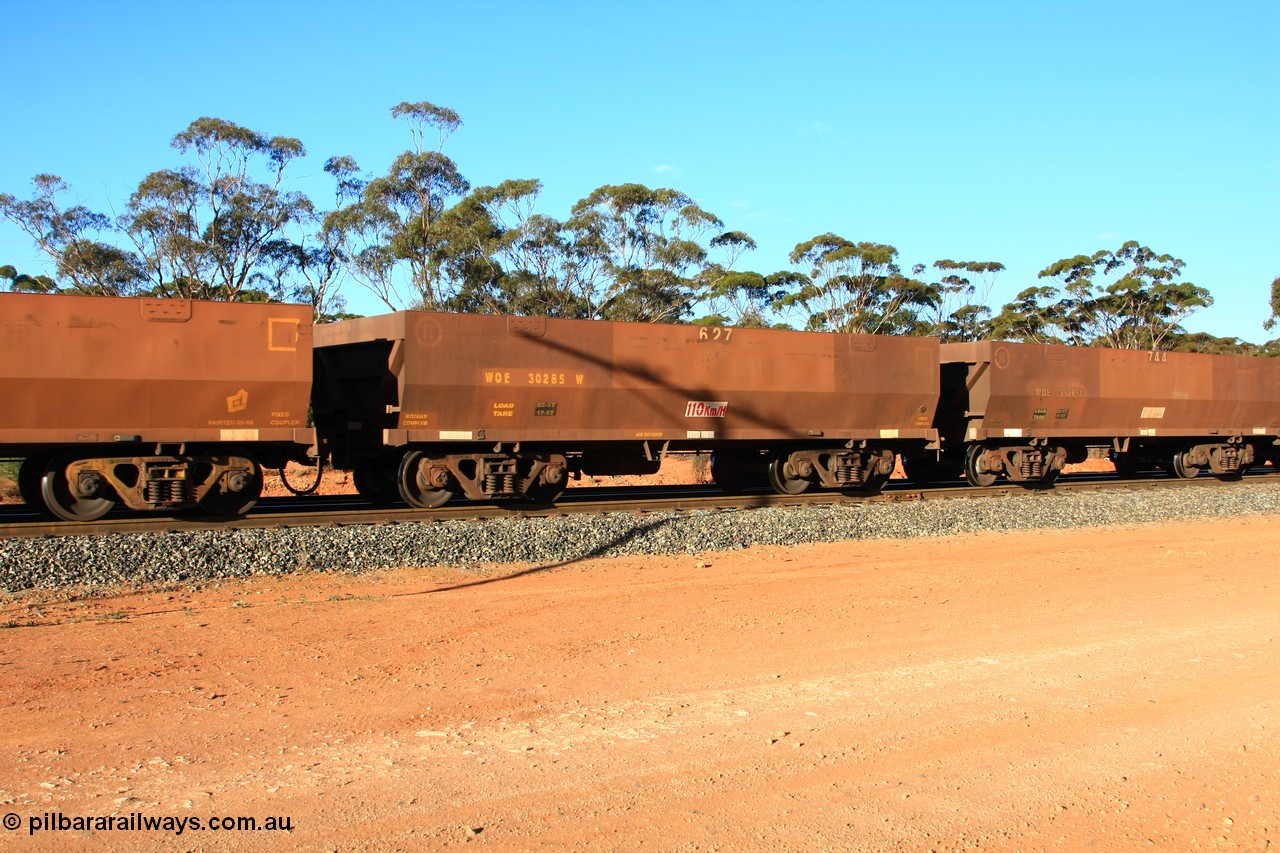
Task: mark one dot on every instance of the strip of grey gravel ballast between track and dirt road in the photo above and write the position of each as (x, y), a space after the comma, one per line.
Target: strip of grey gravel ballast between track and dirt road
(198, 558)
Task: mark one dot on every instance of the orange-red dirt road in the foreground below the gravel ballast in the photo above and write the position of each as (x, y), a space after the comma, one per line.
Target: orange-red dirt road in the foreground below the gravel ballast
(971, 694)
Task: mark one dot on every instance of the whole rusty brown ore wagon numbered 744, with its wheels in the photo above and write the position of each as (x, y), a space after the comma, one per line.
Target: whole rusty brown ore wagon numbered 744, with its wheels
(1025, 410)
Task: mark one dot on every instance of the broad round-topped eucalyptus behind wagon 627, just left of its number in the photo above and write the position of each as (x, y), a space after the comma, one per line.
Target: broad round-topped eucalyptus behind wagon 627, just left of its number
(638, 253)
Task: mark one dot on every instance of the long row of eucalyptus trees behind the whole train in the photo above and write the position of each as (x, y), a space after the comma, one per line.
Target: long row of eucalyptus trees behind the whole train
(226, 223)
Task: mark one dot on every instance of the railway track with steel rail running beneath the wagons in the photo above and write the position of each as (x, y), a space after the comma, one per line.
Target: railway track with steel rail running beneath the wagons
(19, 522)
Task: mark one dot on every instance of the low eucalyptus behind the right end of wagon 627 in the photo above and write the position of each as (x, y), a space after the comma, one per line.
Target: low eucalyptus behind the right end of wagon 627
(856, 289)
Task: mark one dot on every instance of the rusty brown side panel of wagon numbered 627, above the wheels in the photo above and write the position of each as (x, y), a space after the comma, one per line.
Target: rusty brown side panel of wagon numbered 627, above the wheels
(533, 380)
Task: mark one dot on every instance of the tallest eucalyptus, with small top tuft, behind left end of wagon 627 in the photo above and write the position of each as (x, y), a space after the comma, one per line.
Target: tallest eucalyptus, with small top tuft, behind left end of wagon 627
(396, 239)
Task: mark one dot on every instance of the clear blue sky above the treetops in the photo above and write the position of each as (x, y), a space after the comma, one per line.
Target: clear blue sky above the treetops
(1020, 133)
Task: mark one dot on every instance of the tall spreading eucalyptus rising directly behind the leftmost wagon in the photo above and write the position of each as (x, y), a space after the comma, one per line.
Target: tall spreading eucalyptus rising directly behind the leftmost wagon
(216, 229)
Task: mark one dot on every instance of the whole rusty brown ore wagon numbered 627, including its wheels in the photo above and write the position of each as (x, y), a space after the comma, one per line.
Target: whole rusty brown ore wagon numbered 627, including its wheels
(424, 405)
